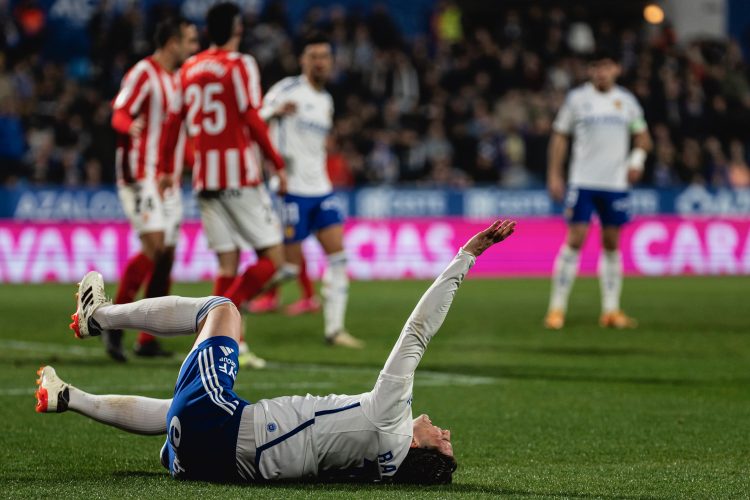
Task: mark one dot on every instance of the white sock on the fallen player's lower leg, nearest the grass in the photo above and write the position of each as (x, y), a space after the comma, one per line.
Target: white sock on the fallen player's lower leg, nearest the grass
(135, 414)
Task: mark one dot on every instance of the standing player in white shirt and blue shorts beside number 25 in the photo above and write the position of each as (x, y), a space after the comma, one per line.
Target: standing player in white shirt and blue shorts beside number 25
(300, 113)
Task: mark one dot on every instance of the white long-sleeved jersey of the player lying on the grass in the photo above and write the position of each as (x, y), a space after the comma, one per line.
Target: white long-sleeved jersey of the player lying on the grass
(336, 436)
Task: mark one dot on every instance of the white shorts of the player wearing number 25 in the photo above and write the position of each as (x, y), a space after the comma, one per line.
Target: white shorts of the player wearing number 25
(234, 218)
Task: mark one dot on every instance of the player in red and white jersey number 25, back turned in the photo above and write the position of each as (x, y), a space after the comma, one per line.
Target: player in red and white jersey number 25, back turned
(217, 98)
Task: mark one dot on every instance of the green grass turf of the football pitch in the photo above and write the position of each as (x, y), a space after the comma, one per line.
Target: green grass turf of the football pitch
(660, 412)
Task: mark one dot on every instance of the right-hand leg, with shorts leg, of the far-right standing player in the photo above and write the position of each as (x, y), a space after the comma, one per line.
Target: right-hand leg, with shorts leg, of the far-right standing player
(613, 212)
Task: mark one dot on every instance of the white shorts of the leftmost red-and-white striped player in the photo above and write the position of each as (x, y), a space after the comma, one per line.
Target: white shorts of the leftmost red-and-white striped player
(148, 213)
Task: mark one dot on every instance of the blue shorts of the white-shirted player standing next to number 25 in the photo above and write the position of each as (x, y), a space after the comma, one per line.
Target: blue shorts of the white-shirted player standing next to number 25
(304, 215)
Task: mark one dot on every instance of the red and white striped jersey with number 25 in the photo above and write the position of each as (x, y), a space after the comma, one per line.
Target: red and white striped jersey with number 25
(217, 97)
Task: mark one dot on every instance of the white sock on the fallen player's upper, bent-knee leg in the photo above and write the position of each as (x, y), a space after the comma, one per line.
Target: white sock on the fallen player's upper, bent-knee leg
(162, 316)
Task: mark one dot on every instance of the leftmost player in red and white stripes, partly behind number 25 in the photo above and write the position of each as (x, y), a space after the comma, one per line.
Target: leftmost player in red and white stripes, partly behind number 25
(138, 116)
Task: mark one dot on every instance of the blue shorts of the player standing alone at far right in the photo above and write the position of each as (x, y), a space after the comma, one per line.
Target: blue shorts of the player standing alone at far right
(613, 207)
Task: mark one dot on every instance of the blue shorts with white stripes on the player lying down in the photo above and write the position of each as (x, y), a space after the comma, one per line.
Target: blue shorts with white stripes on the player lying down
(204, 419)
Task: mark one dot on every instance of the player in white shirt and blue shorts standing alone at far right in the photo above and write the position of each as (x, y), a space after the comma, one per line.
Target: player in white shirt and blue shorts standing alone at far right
(601, 116)
